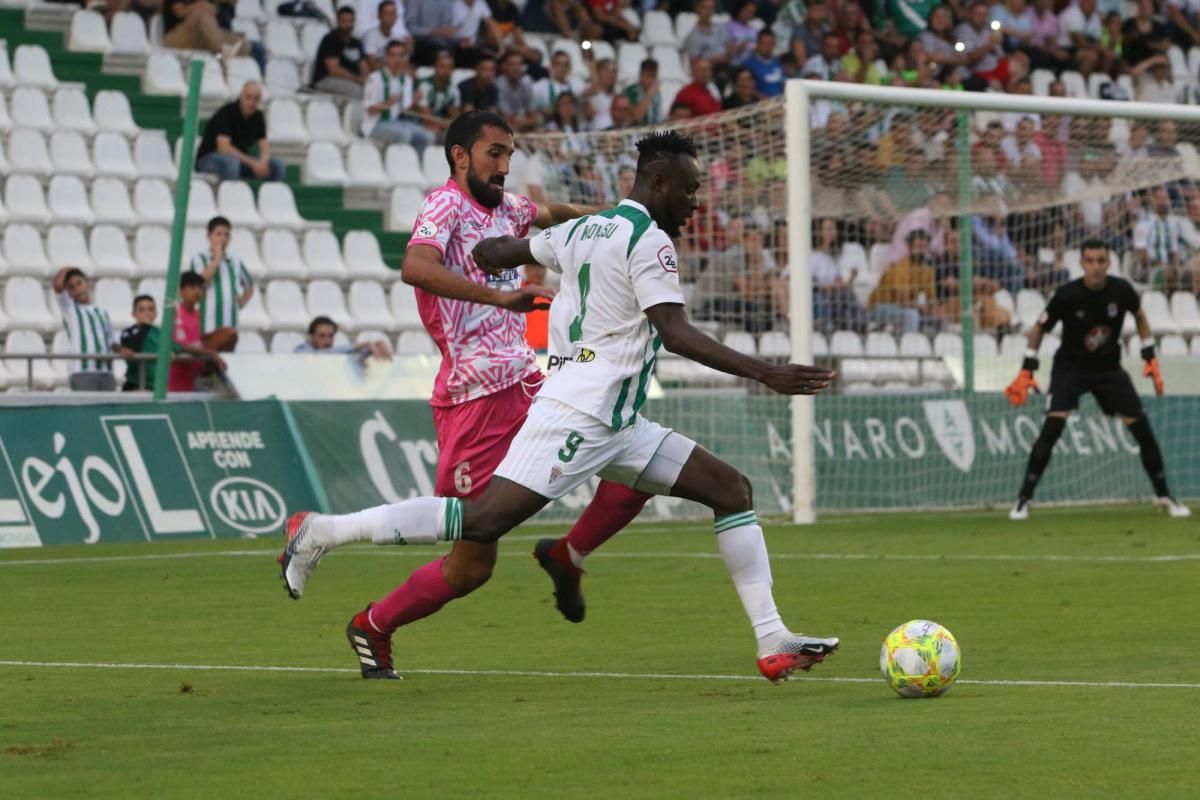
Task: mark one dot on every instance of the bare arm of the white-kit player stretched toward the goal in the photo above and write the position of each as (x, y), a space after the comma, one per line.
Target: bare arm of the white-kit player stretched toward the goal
(685, 340)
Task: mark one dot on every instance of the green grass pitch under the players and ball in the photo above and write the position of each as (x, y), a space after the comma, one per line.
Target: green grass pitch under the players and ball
(1093, 612)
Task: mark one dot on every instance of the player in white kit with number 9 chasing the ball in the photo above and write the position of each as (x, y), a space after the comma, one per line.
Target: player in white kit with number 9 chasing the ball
(622, 302)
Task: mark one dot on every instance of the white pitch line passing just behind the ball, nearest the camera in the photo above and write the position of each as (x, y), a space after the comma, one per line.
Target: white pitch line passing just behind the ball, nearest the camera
(614, 676)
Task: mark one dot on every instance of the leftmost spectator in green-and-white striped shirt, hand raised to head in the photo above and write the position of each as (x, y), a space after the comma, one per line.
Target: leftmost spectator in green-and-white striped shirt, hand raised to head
(89, 329)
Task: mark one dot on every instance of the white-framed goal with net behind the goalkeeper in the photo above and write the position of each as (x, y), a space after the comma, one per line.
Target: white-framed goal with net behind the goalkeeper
(910, 245)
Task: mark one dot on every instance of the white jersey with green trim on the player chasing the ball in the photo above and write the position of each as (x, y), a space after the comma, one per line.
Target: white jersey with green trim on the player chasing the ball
(616, 264)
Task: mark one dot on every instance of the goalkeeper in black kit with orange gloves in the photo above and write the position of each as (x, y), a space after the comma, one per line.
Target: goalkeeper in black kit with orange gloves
(1093, 311)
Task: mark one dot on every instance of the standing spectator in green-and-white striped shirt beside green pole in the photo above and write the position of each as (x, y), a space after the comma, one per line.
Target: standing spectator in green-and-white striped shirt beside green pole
(229, 288)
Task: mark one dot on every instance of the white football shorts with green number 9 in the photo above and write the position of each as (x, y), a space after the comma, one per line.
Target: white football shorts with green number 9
(559, 449)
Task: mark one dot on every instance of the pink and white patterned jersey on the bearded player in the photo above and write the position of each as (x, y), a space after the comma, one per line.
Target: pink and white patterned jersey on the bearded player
(484, 350)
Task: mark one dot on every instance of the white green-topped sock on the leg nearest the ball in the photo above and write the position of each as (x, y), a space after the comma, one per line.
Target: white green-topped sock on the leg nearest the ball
(745, 551)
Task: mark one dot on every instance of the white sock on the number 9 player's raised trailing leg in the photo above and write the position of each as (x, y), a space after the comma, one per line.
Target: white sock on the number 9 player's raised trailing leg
(421, 521)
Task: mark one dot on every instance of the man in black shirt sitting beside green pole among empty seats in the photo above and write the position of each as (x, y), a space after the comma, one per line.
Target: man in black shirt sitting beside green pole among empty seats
(231, 135)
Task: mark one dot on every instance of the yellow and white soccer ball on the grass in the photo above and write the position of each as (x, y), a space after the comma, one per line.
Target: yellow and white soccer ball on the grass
(921, 659)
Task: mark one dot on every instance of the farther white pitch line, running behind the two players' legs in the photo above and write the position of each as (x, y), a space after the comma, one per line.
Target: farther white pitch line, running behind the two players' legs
(419, 552)
